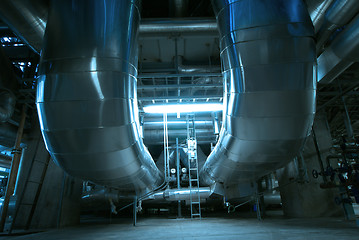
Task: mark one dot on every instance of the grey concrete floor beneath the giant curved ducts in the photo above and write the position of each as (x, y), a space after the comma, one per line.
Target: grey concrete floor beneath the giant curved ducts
(207, 228)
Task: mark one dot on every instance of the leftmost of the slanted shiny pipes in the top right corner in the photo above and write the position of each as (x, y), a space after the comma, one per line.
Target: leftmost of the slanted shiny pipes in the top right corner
(317, 10)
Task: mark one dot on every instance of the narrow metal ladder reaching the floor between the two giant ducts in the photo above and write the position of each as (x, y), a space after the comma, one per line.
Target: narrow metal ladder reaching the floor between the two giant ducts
(195, 197)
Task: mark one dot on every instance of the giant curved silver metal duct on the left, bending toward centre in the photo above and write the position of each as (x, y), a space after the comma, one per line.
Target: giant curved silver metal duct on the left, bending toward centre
(86, 96)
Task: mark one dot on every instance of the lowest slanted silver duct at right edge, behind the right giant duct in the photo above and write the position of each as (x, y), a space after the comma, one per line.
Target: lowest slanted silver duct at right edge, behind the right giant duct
(340, 54)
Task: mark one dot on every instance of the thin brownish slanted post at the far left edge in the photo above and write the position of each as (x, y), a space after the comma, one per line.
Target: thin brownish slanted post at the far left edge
(14, 169)
